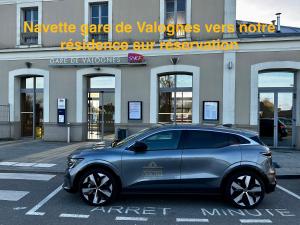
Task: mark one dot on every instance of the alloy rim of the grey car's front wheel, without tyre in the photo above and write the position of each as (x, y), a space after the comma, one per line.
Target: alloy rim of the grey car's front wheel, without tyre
(97, 188)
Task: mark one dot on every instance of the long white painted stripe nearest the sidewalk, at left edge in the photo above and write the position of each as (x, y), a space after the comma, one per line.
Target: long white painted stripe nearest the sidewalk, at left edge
(26, 176)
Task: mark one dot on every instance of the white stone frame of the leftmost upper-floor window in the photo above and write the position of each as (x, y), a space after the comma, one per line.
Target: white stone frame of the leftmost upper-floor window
(20, 7)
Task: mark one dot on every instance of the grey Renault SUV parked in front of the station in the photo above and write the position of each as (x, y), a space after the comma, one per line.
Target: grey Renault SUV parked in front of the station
(190, 158)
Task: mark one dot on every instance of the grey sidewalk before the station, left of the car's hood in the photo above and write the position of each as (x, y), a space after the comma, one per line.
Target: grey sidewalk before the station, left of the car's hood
(36, 155)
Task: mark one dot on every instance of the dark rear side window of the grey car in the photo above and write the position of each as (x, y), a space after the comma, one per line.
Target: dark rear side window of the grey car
(193, 139)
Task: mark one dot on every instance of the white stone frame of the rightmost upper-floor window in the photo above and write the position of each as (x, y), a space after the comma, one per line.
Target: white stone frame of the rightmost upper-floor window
(163, 19)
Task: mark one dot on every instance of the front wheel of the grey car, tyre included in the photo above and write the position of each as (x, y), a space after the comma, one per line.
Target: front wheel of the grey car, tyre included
(98, 187)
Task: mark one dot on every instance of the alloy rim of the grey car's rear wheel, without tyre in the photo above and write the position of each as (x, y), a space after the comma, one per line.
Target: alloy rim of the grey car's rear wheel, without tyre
(246, 191)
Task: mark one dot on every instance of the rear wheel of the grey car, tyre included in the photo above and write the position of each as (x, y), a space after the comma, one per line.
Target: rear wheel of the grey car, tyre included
(245, 190)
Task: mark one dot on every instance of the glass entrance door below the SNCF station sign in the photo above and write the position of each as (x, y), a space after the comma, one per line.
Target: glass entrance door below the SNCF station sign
(101, 110)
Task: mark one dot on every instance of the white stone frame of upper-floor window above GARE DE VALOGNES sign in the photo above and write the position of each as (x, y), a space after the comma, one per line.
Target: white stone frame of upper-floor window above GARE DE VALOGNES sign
(87, 16)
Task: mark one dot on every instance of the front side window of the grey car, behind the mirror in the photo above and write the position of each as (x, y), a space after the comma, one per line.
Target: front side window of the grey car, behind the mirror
(166, 140)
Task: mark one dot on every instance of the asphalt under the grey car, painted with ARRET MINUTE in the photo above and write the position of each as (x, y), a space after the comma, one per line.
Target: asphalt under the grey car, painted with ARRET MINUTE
(35, 198)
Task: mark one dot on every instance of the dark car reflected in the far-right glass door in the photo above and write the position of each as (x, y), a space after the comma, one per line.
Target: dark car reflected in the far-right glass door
(266, 127)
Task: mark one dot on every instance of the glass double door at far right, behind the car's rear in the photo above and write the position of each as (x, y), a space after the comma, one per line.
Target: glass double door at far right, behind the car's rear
(276, 118)
